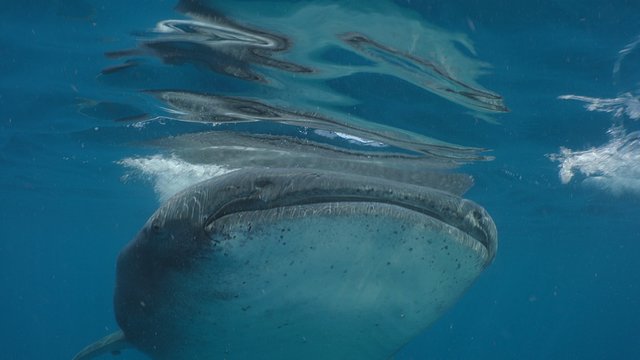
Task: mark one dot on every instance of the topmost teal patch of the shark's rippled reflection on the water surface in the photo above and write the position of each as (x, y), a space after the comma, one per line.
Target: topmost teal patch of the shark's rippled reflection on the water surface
(400, 45)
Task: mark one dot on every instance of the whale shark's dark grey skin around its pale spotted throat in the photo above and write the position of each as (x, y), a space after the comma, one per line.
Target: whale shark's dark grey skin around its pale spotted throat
(190, 230)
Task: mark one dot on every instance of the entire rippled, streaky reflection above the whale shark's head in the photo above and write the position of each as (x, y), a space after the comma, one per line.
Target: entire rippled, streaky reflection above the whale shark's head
(269, 76)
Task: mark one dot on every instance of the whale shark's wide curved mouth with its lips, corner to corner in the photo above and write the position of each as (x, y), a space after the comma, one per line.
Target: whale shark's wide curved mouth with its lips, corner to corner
(339, 190)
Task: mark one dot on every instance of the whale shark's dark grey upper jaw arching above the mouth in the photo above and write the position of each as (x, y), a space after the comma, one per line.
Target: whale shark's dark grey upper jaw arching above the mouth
(262, 189)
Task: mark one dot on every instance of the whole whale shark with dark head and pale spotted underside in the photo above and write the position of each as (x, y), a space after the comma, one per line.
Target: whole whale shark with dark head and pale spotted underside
(295, 264)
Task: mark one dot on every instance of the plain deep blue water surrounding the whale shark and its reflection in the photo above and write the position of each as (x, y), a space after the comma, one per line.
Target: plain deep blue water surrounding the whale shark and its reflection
(565, 282)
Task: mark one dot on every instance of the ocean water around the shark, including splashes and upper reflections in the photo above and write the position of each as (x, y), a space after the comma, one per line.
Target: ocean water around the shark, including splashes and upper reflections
(550, 90)
